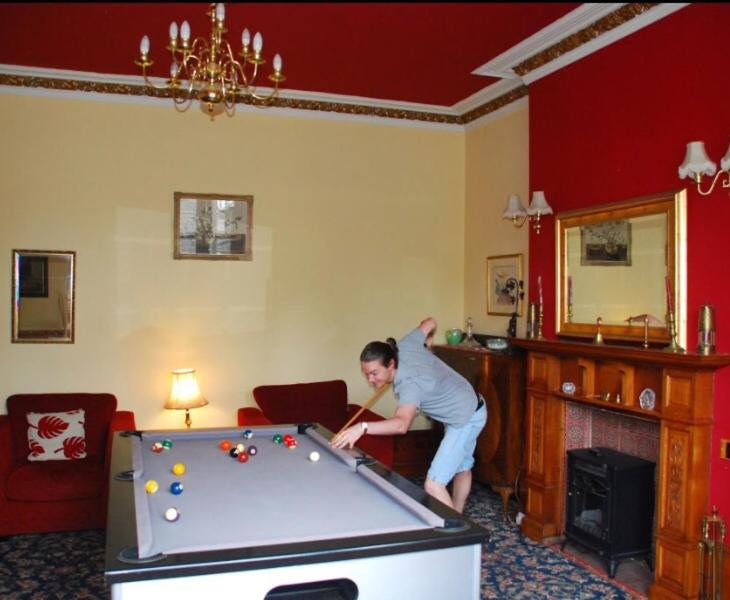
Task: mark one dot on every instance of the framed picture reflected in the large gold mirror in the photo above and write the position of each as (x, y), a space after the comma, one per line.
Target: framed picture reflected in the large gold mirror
(606, 244)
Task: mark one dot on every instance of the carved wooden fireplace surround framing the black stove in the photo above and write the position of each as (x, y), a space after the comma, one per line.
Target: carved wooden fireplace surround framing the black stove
(612, 377)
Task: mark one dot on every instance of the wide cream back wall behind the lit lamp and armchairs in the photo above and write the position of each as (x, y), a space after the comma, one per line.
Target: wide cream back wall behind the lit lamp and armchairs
(358, 234)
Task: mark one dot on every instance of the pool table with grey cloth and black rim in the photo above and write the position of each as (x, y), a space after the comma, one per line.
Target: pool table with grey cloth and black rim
(279, 525)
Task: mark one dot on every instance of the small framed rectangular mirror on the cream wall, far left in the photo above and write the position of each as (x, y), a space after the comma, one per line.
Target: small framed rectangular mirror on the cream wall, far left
(43, 296)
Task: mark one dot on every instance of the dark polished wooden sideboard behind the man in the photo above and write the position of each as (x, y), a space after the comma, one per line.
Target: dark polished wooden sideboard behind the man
(500, 378)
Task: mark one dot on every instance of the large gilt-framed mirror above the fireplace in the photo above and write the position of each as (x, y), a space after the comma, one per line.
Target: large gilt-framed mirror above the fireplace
(625, 263)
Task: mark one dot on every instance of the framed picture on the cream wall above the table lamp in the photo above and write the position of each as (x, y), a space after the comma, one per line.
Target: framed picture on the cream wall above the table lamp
(213, 227)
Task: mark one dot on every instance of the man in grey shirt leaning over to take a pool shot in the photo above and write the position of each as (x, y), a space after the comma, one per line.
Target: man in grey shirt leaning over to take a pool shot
(421, 381)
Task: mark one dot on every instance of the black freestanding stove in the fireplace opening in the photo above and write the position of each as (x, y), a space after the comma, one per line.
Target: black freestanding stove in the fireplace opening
(610, 504)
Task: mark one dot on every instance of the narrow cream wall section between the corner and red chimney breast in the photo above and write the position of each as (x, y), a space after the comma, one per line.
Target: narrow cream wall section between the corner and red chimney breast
(497, 165)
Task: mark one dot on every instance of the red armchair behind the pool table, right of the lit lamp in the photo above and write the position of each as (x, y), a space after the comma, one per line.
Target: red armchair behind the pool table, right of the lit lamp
(322, 402)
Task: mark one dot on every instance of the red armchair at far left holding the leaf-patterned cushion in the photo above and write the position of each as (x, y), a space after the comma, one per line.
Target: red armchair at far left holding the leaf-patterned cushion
(57, 495)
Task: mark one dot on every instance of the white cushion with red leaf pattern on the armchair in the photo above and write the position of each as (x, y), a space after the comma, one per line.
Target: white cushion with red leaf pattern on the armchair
(56, 436)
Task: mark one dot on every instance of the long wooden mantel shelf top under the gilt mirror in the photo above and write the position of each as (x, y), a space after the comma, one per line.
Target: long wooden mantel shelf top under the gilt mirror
(627, 353)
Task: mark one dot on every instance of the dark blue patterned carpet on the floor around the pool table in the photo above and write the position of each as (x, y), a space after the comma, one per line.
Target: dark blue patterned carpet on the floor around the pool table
(71, 565)
